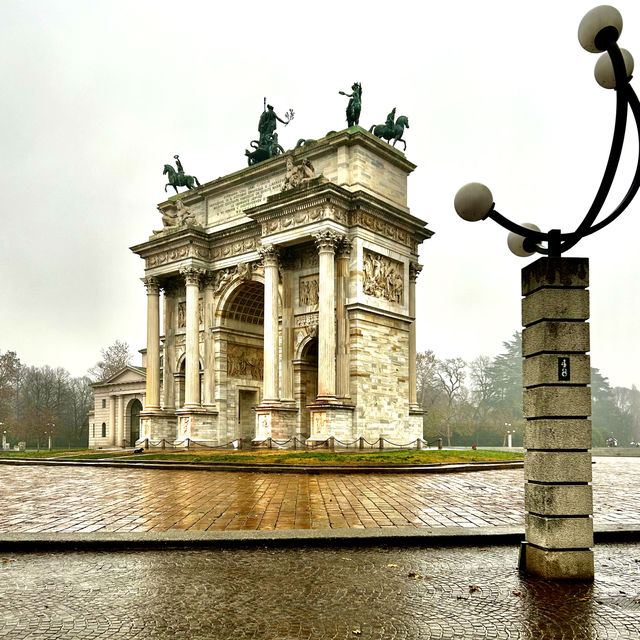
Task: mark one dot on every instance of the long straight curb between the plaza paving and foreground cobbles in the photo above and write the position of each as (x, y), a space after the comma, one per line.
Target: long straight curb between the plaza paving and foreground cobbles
(438, 536)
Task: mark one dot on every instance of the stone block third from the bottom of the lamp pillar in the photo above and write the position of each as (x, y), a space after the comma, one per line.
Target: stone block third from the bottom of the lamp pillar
(558, 499)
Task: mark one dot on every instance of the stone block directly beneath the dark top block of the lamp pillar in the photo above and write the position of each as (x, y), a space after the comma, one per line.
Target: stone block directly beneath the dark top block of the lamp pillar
(555, 304)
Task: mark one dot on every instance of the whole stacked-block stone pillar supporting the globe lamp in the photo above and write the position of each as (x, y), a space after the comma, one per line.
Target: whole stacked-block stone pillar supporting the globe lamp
(557, 405)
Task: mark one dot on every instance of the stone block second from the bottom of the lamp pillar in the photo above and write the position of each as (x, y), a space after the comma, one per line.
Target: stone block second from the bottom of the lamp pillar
(559, 533)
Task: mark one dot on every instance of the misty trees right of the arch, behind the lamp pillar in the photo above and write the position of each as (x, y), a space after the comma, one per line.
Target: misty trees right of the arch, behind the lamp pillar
(479, 401)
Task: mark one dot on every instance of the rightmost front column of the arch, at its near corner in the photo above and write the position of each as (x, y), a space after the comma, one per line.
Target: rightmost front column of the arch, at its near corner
(326, 242)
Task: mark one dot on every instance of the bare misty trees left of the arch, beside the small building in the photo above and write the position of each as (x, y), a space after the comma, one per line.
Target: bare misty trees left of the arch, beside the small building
(41, 402)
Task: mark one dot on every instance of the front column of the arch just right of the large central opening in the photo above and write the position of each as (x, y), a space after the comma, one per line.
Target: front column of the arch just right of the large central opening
(270, 261)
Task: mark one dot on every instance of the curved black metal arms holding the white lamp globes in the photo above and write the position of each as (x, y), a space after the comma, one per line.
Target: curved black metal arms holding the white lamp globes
(558, 242)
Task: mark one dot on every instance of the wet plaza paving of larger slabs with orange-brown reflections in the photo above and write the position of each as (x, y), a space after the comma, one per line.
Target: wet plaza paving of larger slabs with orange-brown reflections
(88, 499)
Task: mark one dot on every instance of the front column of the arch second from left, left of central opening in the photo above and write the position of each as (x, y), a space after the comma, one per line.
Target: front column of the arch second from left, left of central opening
(192, 277)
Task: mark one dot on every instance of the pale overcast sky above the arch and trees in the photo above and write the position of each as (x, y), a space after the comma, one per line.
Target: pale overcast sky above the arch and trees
(98, 95)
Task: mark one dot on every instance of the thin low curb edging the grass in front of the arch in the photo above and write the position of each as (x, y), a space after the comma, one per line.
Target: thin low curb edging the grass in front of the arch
(271, 468)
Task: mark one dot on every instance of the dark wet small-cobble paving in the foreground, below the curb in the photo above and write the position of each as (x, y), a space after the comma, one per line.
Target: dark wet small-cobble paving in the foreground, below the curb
(389, 593)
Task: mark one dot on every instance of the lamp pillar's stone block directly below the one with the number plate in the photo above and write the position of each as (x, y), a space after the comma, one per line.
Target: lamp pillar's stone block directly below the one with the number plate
(551, 401)
